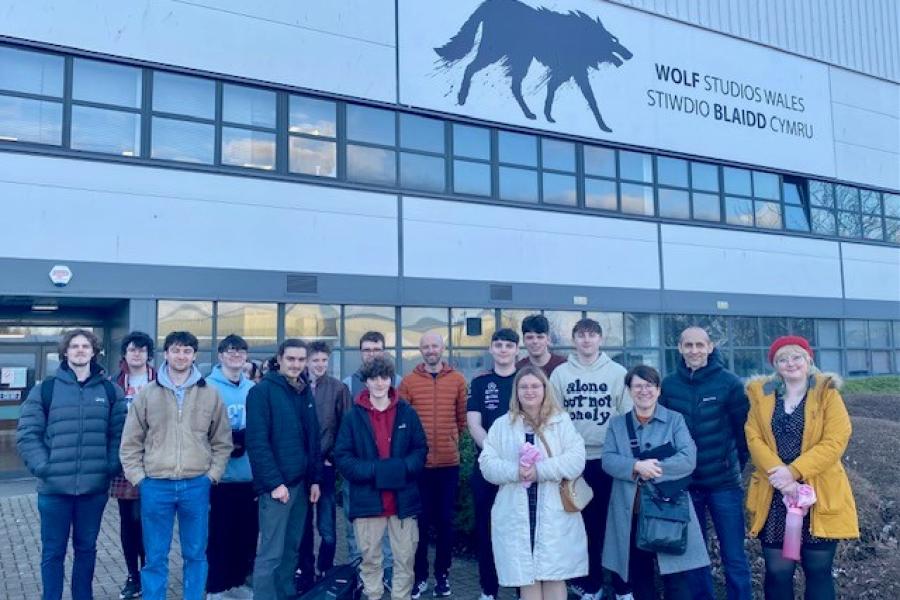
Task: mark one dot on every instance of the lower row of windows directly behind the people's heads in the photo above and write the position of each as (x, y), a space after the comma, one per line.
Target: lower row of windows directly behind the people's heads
(850, 346)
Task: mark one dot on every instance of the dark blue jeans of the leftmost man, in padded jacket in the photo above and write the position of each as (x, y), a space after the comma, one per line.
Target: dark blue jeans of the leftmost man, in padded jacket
(60, 515)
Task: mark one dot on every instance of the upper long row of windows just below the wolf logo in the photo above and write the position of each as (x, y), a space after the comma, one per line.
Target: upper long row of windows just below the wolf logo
(109, 108)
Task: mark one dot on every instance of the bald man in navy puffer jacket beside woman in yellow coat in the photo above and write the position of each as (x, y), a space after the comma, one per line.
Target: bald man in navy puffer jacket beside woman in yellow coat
(712, 400)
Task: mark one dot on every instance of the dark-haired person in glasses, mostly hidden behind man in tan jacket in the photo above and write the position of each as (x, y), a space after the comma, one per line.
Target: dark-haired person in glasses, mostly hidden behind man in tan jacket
(134, 373)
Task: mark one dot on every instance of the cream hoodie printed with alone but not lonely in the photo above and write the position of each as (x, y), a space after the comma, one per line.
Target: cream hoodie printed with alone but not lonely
(592, 395)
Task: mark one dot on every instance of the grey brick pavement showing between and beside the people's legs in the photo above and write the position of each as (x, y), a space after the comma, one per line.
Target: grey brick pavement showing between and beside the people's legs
(20, 554)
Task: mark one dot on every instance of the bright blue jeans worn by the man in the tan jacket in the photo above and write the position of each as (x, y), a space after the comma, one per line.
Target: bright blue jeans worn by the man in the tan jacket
(161, 500)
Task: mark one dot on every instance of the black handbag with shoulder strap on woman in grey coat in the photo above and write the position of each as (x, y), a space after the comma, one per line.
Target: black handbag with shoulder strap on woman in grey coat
(664, 511)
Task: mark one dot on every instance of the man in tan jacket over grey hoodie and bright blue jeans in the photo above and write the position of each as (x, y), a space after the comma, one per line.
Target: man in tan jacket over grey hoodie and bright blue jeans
(176, 443)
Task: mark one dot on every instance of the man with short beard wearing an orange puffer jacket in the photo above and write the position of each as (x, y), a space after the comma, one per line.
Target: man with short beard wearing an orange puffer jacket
(438, 394)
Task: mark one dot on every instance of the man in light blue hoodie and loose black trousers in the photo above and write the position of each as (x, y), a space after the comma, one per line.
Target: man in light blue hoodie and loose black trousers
(233, 519)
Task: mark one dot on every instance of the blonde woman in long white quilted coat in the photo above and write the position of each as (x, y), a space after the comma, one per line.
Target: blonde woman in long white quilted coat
(537, 544)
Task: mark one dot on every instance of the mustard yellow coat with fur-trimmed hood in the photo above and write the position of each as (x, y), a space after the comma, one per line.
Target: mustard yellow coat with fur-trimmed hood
(825, 436)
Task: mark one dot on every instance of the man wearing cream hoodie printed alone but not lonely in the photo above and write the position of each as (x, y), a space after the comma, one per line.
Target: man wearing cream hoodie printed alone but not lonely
(591, 388)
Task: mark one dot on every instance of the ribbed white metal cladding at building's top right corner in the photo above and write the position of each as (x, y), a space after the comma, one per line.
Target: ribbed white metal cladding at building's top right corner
(862, 35)
